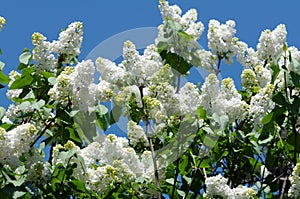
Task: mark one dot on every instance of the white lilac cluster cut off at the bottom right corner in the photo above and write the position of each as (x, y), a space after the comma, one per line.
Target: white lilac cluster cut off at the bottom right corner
(294, 191)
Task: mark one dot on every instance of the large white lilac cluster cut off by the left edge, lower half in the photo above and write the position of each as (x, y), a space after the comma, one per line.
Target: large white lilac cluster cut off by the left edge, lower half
(15, 143)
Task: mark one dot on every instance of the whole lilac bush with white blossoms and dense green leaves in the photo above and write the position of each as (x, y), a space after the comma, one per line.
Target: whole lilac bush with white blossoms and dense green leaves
(183, 140)
